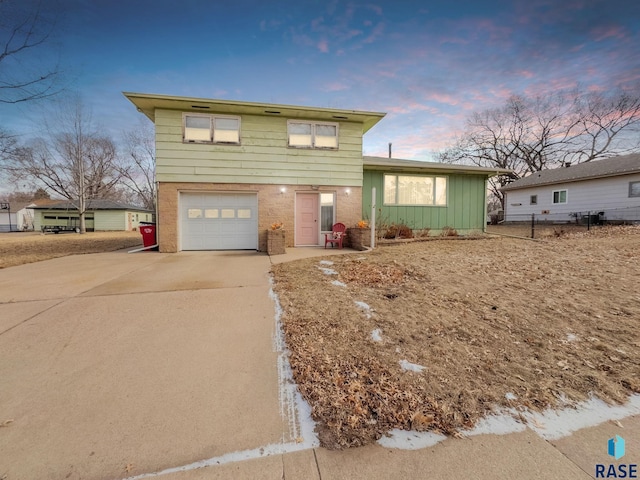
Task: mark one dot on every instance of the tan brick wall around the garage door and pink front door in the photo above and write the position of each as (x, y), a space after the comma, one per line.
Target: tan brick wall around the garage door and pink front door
(273, 206)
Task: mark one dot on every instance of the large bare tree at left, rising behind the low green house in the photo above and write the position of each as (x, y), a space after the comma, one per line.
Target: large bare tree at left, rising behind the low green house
(72, 159)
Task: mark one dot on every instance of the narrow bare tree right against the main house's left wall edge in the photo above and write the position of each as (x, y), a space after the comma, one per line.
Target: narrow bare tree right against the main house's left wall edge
(138, 164)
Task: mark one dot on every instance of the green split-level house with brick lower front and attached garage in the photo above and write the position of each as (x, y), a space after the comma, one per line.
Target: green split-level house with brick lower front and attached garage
(228, 170)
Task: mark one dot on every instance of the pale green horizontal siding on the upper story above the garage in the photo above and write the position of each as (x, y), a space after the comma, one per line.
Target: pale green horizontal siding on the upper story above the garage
(262, 156)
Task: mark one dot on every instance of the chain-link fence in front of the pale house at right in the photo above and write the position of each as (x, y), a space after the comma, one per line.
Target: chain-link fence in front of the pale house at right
(544, 224)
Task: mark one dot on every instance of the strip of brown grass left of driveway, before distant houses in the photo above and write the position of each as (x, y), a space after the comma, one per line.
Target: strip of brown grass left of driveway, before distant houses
(20, 248)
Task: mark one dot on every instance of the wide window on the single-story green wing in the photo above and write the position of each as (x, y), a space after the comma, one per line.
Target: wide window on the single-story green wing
(415, 190)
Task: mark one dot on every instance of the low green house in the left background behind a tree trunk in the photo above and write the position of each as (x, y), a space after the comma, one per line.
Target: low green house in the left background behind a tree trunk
(101, 215)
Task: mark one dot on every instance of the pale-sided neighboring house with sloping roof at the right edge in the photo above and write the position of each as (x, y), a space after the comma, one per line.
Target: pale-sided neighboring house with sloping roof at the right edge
(608, 188)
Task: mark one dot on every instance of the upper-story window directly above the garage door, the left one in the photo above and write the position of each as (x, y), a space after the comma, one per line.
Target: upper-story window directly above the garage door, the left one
(199, 128)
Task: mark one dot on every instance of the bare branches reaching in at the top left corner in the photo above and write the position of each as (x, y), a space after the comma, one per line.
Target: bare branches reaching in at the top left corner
(28, 69)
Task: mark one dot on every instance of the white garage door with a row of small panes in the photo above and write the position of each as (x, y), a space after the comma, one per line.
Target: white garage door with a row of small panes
(219, 221)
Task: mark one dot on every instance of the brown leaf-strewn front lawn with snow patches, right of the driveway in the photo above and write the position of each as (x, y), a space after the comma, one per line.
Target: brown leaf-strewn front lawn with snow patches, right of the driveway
(495, 323)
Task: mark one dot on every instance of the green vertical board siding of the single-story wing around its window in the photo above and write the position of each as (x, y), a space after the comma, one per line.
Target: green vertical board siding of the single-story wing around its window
(465, 210)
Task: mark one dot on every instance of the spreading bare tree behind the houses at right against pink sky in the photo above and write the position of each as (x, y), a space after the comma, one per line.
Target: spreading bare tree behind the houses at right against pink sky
(527, 135)
